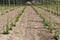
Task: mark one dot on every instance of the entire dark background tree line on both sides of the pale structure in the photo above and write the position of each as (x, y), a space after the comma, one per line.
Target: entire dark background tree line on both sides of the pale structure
(24, 1)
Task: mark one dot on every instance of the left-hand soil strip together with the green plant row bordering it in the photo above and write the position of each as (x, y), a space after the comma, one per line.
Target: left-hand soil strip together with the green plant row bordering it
(9, 20)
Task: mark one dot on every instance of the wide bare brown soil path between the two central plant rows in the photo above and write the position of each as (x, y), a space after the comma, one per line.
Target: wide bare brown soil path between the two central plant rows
(29, 27)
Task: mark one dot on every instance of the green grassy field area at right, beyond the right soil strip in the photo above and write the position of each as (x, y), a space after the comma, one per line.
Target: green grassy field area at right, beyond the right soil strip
(54, 9)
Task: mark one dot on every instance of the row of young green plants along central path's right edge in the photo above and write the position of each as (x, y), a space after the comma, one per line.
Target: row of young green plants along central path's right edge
(48, 25)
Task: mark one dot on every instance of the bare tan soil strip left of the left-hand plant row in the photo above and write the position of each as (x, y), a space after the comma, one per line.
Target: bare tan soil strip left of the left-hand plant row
(11, 16)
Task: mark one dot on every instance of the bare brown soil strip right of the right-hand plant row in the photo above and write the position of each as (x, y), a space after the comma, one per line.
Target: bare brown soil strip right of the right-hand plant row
(53, 19)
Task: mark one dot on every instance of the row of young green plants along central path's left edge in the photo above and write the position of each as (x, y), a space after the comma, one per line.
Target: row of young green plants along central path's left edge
(13, 24)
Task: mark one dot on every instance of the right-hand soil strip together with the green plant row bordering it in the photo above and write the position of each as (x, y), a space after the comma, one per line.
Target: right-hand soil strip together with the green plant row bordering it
(51, 21)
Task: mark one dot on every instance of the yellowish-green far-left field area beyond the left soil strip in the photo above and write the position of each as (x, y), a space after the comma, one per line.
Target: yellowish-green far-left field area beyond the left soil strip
(6, 9)
